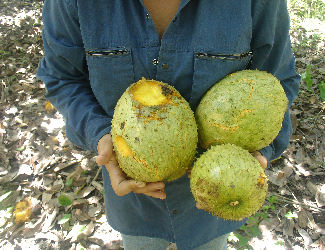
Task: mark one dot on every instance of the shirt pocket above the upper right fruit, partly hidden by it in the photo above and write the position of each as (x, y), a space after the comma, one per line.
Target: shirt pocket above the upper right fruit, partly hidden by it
(210, 68)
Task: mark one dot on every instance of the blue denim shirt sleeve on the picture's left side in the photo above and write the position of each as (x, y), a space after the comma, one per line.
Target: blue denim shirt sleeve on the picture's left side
(64, 72)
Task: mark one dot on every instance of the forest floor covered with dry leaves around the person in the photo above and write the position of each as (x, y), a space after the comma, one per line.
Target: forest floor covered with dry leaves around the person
(61, 184)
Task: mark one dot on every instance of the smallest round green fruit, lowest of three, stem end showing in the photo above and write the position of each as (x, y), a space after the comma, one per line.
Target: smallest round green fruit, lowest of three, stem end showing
(228, 182)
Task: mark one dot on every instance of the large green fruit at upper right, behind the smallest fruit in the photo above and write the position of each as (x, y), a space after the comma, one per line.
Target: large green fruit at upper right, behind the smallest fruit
(245, 108)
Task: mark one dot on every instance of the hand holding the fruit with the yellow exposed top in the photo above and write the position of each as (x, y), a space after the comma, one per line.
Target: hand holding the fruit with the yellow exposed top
(121, 184)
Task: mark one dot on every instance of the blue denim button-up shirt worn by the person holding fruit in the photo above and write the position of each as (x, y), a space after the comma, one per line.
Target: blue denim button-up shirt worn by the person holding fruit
(95, 49)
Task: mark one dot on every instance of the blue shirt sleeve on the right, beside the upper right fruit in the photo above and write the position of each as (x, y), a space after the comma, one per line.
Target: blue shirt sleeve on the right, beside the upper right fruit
(272, 52)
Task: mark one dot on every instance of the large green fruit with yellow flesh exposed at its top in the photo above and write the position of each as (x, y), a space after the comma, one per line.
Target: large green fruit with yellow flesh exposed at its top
(154, 132)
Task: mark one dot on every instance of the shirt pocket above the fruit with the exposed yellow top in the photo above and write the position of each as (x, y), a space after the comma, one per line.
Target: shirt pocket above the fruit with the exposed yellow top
(111, 71)
